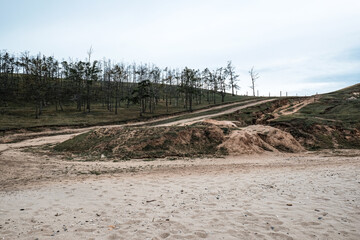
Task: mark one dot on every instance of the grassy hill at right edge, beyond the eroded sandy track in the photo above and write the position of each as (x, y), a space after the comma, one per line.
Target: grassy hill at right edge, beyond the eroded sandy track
(332, 121)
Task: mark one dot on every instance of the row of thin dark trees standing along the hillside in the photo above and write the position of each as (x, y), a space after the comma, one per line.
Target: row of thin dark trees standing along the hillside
(45, 81)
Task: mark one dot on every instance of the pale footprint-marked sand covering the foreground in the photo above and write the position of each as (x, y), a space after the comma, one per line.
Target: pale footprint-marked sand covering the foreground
(297, 196)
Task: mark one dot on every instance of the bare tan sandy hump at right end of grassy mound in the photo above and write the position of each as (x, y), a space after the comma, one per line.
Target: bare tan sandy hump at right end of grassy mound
(258, 139)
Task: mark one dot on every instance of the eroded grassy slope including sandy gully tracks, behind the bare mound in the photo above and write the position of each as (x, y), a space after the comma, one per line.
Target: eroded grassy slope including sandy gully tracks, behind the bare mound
(331, 120)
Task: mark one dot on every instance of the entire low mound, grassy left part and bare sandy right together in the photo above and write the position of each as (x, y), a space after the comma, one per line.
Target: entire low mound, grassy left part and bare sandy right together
(208, 137)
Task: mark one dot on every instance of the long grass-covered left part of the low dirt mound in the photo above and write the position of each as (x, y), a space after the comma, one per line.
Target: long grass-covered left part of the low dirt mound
(138, 142)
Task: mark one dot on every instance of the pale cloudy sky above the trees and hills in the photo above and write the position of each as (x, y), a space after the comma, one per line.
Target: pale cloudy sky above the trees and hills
(300, 47)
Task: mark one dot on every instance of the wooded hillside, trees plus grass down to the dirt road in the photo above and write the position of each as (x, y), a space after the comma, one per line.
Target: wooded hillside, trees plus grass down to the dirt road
(53, 92)
